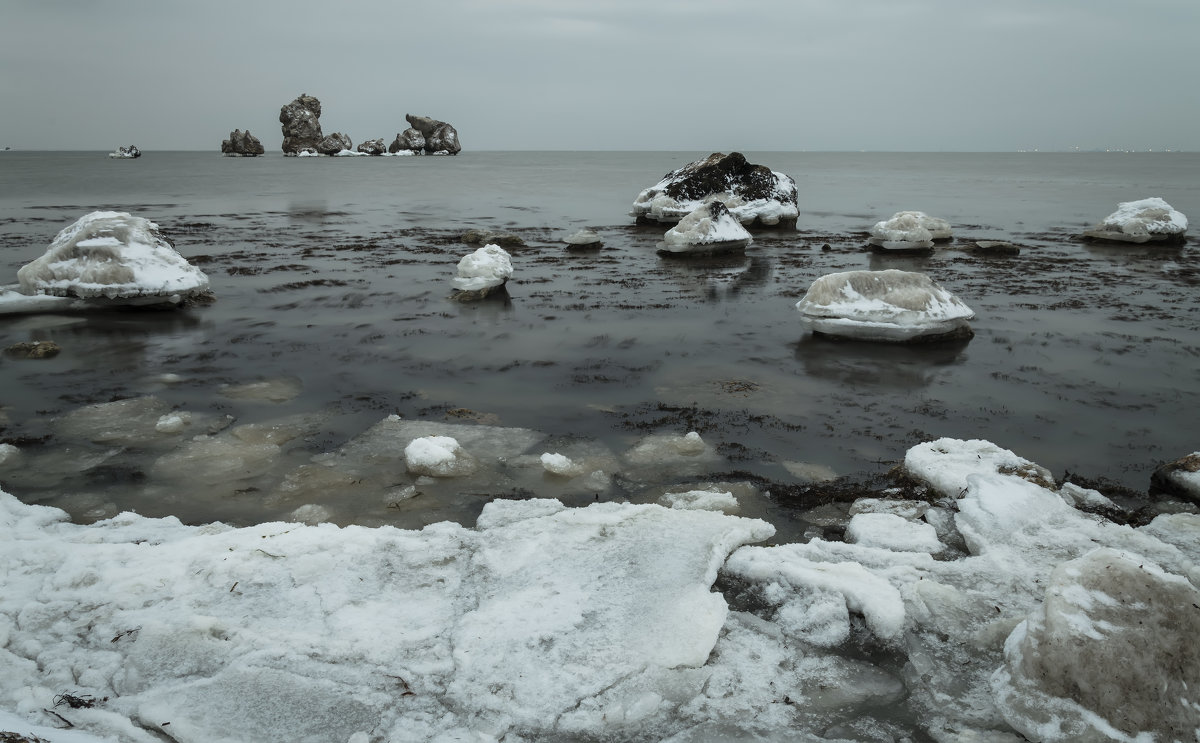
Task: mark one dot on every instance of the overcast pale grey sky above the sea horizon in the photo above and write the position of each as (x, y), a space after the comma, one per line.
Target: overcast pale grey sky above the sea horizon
(627, 75)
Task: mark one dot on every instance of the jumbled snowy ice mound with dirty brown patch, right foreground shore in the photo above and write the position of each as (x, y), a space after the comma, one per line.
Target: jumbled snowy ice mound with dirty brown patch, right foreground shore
(1105, 615)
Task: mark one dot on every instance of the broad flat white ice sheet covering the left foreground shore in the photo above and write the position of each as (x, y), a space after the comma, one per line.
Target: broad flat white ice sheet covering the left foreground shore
(542, 621)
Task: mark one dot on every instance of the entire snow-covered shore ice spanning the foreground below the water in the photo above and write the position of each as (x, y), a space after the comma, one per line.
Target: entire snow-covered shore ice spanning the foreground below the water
(545, 622)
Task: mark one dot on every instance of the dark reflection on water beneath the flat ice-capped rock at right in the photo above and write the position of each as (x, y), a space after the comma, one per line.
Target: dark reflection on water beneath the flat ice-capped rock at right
(887, 367)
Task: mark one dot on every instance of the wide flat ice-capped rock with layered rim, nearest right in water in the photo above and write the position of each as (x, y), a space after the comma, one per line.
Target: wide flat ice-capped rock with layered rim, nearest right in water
(891, 305)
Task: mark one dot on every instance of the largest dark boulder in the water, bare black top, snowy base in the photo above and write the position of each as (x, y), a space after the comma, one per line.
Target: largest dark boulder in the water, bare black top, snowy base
(754, 195)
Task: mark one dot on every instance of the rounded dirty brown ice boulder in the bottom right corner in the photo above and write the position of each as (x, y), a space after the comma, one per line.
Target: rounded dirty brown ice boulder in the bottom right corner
(1111, 655)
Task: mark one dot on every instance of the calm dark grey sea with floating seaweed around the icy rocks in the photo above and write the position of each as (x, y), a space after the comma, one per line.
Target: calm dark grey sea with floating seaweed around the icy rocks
(335, 273)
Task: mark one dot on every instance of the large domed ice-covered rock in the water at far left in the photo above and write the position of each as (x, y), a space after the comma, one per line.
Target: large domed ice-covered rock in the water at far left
(112, 255)
